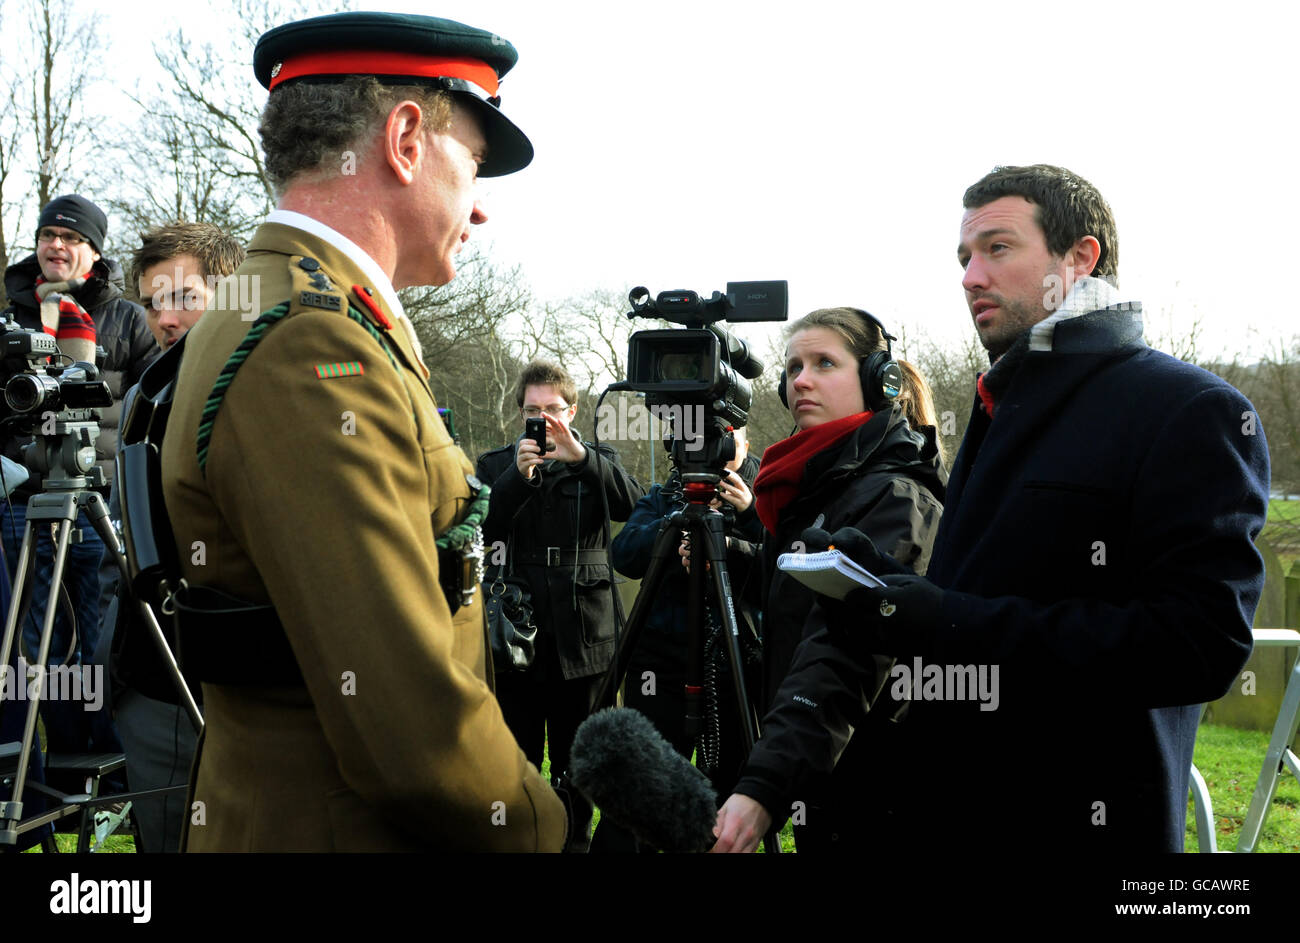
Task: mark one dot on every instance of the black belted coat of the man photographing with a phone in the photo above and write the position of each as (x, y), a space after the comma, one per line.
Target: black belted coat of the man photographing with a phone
(561, 508)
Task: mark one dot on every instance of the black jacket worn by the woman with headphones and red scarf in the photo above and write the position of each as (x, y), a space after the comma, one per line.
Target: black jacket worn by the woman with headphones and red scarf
(889, 482)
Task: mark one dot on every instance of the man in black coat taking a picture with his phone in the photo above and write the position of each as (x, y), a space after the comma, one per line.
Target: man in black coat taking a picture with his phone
(549, 512)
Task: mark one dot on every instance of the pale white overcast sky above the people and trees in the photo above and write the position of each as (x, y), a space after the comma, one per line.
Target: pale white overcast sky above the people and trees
(683, 145)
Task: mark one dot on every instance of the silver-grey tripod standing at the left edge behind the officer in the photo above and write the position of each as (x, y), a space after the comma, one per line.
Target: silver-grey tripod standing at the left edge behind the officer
(68, 445)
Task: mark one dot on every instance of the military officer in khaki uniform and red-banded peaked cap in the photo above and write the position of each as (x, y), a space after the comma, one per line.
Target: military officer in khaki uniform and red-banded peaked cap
(306, 470)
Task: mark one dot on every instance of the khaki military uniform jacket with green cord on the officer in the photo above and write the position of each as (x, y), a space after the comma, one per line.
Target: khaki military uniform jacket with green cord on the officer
(328, 477)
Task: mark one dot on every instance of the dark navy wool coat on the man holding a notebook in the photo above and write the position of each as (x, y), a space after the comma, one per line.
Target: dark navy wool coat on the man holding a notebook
(1098, 547)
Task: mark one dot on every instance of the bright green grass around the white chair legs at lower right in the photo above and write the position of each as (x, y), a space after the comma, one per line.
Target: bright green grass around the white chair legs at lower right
(1230, 762)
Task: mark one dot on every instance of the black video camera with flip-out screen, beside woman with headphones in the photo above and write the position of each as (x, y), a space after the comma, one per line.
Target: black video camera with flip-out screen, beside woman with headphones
(699, 377)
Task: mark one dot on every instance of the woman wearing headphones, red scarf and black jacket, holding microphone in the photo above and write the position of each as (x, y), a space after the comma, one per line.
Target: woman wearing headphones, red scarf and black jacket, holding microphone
(864, 456)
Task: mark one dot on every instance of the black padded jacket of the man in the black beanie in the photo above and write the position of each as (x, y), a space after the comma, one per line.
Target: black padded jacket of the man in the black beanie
(122, 330)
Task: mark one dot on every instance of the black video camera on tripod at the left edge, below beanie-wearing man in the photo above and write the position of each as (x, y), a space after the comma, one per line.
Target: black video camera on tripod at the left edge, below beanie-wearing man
(58, 404)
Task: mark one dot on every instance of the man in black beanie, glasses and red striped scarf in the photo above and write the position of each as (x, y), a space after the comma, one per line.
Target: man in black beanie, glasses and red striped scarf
(68, 289)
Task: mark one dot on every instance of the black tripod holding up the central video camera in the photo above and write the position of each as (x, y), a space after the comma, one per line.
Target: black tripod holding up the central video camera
(705, 529)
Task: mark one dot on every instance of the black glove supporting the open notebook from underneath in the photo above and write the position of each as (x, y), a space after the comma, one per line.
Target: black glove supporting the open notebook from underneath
(899, 618)
